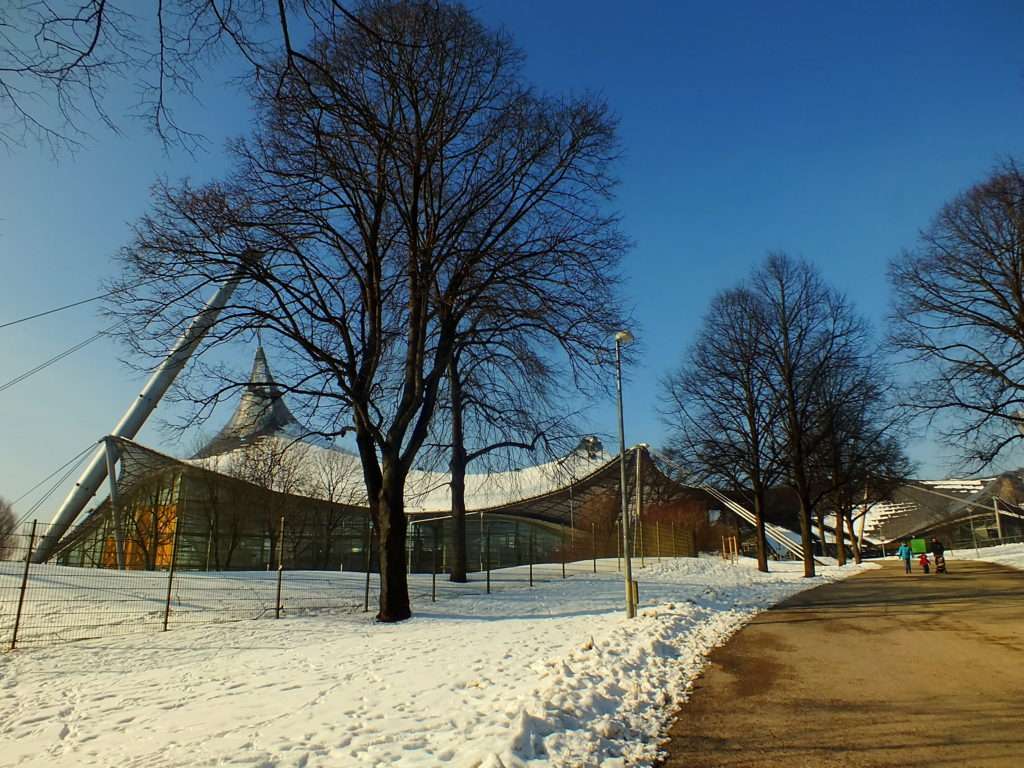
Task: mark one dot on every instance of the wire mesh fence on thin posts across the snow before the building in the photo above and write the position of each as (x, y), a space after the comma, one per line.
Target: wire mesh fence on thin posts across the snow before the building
(50, 604)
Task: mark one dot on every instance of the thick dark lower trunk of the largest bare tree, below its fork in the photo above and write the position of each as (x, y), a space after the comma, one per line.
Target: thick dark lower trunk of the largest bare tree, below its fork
(392, 524)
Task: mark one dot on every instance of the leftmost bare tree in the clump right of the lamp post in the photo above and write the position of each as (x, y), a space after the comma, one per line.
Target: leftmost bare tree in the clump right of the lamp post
(720, 408)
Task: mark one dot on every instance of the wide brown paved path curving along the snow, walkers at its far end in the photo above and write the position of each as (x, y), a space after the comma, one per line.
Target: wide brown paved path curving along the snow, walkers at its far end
(880, 670)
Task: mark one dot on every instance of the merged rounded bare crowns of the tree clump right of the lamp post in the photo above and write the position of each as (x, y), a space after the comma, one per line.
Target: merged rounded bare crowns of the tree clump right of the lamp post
(784, 385)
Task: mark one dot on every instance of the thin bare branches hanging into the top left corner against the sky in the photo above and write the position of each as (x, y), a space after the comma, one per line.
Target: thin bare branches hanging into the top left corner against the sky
(60, 60)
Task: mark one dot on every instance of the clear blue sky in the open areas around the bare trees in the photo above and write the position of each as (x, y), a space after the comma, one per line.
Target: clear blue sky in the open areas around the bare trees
(833, 132)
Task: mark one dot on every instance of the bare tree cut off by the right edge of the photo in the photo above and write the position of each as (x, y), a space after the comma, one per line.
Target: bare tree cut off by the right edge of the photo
(959, 318)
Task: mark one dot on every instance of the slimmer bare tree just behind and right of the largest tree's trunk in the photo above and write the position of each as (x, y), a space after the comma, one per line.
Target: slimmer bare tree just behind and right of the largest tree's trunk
(516, 364)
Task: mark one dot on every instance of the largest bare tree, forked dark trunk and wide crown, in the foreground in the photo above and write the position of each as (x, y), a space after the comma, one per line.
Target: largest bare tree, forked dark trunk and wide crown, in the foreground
(390, 191)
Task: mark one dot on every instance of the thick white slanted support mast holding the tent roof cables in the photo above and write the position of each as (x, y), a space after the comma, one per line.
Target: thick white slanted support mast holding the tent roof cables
(136, 417)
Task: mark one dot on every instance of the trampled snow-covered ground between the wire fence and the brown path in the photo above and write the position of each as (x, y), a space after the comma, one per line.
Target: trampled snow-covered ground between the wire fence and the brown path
(550, 676)
